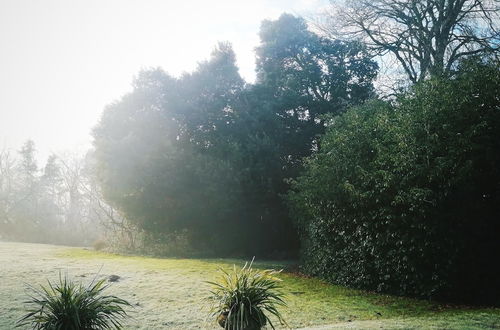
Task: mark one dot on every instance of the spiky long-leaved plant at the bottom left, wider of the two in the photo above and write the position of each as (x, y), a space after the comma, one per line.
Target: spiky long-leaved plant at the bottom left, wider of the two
(71, 306)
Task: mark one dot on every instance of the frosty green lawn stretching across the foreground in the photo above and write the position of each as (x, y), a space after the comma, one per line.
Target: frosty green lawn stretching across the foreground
(170, 293)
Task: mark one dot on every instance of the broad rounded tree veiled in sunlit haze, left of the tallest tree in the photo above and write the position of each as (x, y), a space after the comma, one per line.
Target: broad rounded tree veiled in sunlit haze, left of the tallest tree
(165, 156)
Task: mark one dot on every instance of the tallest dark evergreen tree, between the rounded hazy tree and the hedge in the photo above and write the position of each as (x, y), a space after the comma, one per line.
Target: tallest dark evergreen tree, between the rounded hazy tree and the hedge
(300, 77)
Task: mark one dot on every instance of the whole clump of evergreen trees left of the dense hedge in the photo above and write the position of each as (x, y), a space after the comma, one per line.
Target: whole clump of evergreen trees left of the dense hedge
(207, 155)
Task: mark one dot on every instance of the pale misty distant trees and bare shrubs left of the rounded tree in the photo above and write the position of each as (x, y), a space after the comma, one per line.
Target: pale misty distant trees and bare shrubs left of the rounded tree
(58, 203)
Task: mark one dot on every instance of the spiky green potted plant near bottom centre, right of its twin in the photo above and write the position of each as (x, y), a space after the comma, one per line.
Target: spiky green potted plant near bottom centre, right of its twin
(243, 299)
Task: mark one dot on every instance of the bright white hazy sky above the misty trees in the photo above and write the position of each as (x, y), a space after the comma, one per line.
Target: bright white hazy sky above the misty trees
(62, 61)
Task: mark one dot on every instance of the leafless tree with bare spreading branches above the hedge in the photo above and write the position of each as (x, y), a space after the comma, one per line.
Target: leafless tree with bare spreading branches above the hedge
(427, 37)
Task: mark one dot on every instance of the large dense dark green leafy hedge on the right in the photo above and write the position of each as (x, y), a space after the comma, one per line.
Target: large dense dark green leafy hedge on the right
(404, 197)
